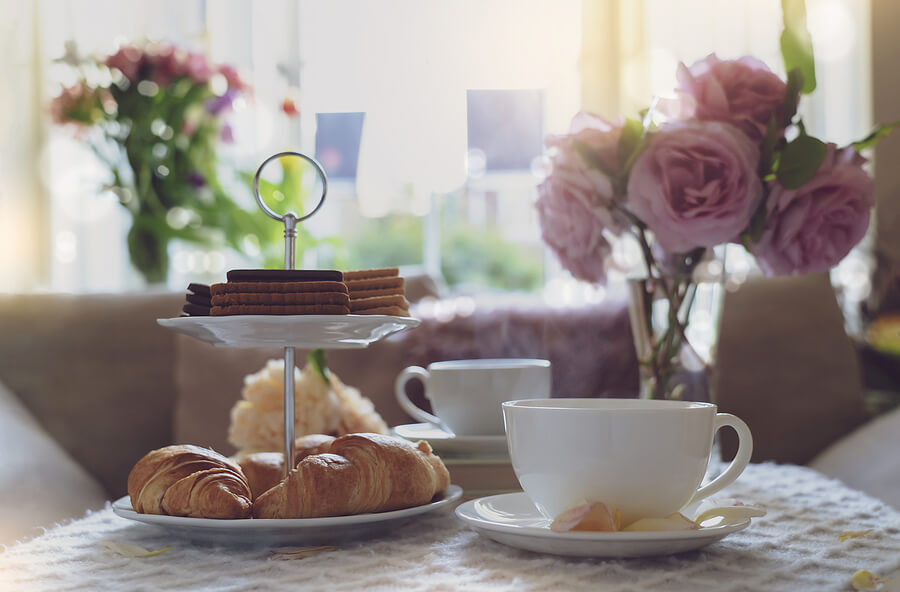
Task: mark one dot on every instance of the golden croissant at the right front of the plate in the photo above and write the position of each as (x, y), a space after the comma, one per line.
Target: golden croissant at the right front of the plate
(360, 473)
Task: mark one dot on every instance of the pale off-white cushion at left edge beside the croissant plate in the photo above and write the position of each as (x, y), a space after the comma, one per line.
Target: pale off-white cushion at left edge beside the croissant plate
(40, 484)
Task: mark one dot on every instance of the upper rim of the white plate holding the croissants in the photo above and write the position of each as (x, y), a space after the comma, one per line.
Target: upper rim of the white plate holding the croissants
(122, 507)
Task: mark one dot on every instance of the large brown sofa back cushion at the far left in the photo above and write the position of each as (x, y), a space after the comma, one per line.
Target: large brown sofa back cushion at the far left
(95, 371)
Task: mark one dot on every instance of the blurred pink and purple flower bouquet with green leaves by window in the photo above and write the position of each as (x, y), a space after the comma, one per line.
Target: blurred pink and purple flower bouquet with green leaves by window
(154, 115)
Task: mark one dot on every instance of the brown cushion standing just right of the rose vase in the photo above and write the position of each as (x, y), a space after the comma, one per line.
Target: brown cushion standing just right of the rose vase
(786, 366)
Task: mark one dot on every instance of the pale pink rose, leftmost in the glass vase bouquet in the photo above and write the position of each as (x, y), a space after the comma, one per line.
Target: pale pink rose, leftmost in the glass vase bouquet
(575, 199)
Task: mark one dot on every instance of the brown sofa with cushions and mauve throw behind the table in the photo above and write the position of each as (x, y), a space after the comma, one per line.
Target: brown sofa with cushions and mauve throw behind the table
(90, 383)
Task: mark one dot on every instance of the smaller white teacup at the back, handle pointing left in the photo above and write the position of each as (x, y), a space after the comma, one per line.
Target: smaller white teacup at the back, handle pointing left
(466, 394)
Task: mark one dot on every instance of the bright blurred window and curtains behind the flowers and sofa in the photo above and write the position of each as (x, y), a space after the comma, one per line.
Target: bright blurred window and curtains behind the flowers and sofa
(429, 118)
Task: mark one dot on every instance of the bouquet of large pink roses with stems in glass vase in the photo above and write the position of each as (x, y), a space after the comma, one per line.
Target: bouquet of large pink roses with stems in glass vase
(727, 161)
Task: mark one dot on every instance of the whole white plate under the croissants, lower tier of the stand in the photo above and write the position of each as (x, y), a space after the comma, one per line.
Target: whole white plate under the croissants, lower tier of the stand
(312, 531)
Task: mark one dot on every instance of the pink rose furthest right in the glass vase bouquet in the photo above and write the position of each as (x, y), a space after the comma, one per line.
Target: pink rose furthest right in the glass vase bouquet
(812, 228)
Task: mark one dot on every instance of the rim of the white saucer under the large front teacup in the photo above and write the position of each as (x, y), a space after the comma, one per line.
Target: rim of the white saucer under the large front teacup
(468, 512)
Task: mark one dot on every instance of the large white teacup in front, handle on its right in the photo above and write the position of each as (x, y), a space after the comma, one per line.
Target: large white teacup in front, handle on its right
(644, 458)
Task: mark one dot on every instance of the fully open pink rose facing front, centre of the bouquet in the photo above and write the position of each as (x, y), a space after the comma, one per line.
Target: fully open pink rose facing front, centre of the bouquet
(695, 185)
